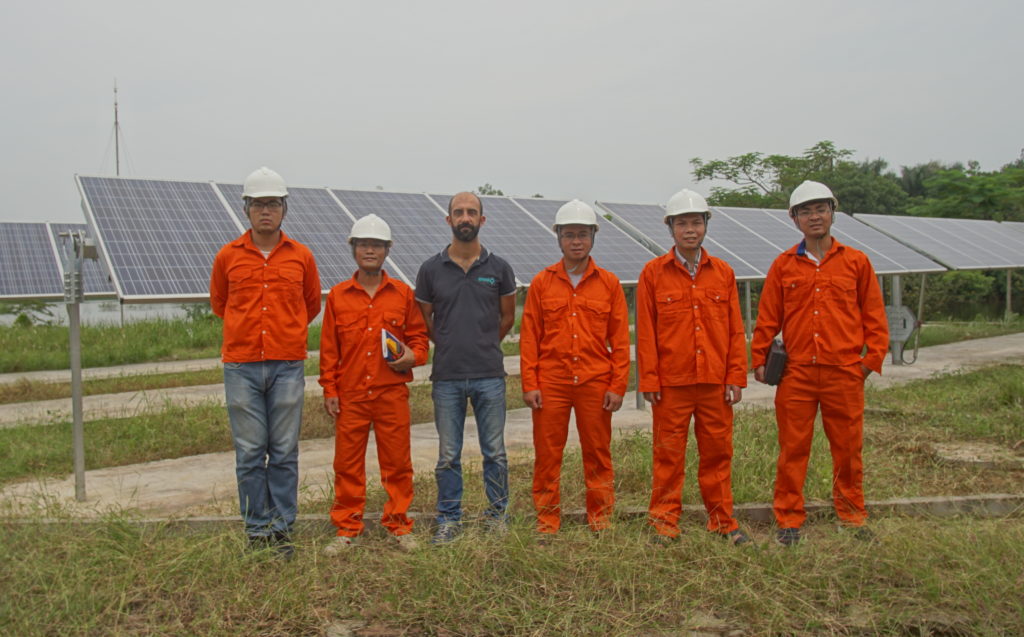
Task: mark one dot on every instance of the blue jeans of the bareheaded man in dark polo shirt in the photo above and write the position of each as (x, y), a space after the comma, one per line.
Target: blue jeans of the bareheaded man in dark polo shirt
(488, 398)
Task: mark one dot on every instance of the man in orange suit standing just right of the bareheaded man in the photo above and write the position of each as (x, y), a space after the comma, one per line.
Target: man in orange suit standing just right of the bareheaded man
(575, 357)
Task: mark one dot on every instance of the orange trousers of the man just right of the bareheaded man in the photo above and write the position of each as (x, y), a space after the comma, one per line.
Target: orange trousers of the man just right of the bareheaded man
(551, 428)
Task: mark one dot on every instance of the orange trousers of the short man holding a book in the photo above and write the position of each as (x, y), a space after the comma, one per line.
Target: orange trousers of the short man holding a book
(390, 415)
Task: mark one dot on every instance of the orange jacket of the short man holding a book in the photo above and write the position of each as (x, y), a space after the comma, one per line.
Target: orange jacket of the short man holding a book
(353, 364)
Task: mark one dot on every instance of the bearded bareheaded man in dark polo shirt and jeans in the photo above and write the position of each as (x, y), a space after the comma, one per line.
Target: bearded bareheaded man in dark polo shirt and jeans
(467, 295)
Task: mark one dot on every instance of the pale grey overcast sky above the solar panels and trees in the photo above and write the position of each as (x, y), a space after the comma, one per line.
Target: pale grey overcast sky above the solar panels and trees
(596, 100)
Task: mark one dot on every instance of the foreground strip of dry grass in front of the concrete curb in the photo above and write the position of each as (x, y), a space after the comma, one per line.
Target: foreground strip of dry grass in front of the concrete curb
(949, 578)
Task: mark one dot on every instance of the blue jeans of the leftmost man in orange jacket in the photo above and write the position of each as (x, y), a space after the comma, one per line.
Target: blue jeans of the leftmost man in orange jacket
(265, 407)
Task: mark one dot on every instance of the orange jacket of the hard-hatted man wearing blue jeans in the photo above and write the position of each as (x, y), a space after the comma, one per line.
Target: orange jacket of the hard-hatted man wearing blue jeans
(267, 303)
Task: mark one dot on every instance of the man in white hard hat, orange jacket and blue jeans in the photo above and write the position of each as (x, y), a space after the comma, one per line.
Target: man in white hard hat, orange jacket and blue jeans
(266, 287)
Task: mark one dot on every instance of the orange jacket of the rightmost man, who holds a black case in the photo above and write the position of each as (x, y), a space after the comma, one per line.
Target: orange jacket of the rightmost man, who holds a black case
(828, 313)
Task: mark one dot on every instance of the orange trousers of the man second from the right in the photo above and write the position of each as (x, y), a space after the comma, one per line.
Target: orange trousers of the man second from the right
(713, 430)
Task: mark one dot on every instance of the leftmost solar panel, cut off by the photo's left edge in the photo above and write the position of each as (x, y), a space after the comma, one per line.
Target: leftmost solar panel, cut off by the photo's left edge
(28, 268)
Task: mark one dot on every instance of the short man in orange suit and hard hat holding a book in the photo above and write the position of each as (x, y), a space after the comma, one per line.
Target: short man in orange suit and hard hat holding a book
(373, 336)
